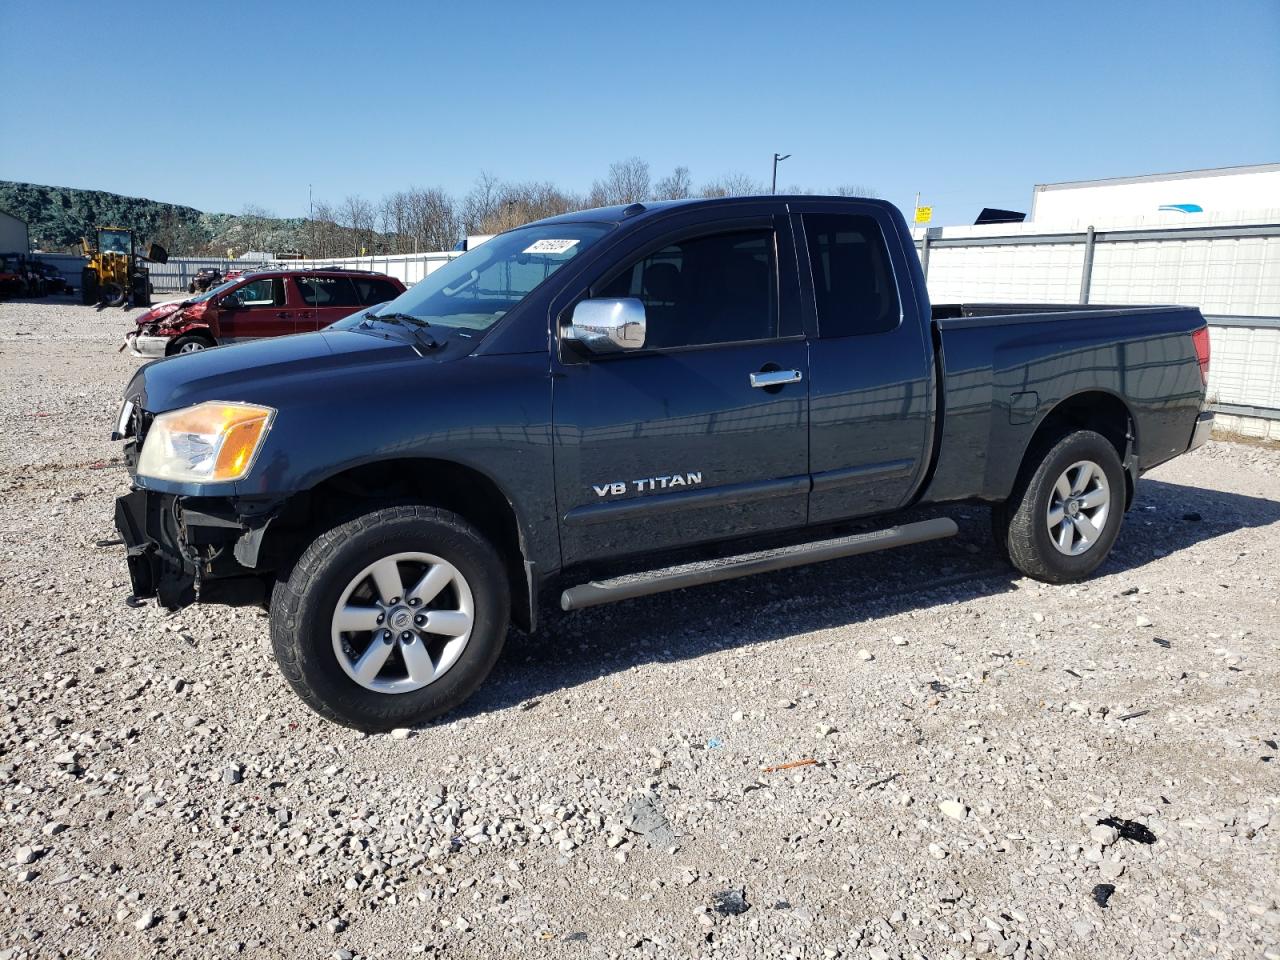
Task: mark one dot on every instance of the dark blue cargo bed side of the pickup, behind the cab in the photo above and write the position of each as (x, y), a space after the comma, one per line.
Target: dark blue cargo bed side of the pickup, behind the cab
(1005, 365)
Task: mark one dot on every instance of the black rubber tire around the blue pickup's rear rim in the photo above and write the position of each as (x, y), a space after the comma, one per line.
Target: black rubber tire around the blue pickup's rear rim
(1023, 523)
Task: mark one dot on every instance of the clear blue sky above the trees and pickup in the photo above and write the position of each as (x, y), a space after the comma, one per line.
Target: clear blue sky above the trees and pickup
(968, 103)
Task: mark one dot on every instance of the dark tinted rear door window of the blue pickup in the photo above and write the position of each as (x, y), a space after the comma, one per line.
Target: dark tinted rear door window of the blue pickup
(853, 280)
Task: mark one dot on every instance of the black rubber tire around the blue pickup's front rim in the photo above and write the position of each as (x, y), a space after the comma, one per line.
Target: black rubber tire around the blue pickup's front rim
(303, 611)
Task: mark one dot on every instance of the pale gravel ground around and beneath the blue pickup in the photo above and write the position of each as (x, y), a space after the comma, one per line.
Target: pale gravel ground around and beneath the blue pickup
(993, 767)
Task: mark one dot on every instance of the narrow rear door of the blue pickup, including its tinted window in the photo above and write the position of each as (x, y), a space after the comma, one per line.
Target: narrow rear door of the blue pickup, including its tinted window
(872, 371)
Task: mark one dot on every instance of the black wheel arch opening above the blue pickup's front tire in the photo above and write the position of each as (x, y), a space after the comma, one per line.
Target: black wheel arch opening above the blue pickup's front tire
(447, 484)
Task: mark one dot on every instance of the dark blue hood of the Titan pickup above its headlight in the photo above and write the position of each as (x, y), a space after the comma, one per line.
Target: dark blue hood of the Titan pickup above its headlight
(284, 369)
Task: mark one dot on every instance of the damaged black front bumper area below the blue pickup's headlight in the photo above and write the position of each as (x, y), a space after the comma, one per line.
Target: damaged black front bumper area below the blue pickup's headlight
(188, 550)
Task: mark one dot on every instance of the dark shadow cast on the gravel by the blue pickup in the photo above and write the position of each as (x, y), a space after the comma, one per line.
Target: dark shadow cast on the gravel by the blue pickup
(577, 648)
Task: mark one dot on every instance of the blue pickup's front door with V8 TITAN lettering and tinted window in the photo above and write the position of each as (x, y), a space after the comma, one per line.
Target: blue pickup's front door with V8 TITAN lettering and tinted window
(678, 444)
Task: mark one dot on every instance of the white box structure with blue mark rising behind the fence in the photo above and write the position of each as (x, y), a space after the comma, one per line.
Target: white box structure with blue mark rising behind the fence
(1227, 194)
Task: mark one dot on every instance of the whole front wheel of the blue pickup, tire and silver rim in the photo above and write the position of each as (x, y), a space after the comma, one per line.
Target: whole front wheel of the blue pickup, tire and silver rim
(392, 619)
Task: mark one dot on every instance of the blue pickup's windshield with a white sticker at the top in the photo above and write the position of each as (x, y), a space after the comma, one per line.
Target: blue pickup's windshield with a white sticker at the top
(477, 290)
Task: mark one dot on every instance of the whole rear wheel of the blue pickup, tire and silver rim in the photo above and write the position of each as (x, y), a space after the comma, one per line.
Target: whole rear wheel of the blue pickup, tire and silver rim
(1066, 511)
